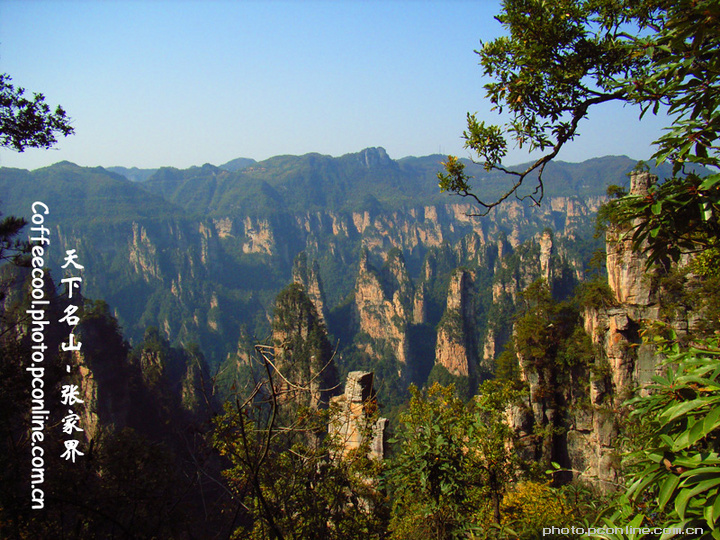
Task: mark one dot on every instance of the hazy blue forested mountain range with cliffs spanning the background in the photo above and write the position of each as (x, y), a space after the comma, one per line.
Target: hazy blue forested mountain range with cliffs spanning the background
(203, 254)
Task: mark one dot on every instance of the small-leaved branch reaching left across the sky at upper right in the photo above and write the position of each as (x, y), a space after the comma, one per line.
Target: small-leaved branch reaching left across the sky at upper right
(560, 59)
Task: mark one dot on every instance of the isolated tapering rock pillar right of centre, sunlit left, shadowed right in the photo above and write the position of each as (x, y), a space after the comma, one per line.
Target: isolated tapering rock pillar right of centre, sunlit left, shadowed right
(456, 349)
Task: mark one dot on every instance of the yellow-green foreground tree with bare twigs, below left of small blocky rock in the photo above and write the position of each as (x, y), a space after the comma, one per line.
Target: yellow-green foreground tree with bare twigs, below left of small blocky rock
(286, 485)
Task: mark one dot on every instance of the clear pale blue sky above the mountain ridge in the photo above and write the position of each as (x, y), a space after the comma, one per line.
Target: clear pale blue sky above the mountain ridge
(182, 83)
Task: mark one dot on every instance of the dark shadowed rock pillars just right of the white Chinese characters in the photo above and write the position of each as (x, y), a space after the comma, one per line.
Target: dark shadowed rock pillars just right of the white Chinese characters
(146, 391)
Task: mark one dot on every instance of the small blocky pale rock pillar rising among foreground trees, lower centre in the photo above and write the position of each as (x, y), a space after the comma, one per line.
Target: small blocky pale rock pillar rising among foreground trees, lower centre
(353, 416)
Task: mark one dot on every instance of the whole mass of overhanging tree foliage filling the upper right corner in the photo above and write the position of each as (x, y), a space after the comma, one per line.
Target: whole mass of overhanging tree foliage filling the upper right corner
(562, 58)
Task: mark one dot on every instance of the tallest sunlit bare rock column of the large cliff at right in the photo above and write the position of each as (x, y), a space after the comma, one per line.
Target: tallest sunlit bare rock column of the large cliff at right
(624, 362)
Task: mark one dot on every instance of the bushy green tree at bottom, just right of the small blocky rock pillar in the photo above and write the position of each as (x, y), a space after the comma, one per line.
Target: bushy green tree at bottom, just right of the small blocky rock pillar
(452, 464)
